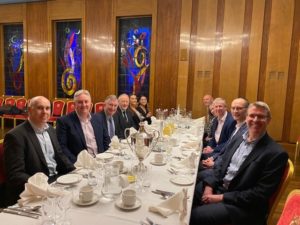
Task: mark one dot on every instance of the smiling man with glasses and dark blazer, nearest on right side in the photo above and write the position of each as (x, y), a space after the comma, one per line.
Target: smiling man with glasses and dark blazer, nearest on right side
(239, 190)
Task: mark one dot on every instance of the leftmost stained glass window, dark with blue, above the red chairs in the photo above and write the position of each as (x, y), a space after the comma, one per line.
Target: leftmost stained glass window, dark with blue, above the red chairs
(13, 59)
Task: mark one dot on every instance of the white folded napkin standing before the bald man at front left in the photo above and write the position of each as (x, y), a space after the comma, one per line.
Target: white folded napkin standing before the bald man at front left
(37, 187)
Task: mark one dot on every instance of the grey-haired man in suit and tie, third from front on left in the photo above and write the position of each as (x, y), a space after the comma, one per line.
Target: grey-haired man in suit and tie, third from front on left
(110, 108)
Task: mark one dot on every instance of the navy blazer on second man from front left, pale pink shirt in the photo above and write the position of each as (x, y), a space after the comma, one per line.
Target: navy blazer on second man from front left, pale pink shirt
(71, 138)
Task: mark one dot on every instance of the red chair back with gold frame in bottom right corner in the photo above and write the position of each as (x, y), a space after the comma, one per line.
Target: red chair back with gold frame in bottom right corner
(290, 214)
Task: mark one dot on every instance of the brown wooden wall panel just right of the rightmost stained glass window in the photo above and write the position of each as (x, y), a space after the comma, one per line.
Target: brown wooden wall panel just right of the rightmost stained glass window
(166, 71)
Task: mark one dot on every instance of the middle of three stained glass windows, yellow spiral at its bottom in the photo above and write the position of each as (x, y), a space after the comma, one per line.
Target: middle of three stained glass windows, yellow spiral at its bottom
(68, 58)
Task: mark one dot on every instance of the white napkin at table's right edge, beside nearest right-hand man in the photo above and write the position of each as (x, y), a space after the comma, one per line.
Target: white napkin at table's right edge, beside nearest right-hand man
(176, 203)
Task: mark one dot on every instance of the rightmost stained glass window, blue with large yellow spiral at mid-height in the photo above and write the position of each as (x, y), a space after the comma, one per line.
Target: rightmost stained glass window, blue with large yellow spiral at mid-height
(134, 55)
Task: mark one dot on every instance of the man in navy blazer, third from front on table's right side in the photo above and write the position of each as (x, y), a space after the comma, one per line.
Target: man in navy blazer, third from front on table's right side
(222, 128)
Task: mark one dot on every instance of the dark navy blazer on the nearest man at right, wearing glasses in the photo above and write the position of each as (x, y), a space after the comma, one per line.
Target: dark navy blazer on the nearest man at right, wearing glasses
(247, 197)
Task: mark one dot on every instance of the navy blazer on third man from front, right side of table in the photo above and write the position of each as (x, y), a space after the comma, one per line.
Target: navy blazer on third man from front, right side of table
(227, 129)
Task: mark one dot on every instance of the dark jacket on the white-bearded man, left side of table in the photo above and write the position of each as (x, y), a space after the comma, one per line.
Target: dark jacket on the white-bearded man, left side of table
(121, 124)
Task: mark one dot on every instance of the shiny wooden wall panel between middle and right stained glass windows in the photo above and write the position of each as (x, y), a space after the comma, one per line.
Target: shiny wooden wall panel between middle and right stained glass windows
(99, 49)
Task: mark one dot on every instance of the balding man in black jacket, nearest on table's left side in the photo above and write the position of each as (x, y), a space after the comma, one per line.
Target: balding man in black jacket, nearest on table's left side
(32, 147)
